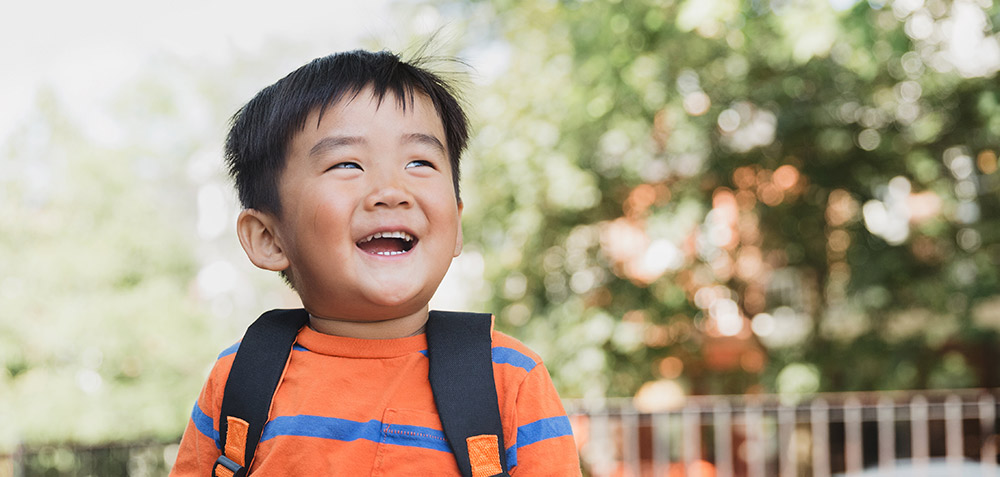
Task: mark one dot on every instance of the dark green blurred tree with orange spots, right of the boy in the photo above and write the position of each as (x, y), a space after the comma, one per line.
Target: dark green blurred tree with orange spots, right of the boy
(745, 196)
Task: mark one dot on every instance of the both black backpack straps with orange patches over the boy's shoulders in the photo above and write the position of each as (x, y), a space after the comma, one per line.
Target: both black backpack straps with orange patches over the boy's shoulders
(459, 348)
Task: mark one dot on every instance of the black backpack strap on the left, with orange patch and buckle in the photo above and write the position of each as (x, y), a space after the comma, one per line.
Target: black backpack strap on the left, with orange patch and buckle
(257, 368)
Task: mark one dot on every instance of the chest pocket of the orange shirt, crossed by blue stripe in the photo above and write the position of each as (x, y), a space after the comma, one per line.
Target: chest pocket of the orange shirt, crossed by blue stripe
(413, 444)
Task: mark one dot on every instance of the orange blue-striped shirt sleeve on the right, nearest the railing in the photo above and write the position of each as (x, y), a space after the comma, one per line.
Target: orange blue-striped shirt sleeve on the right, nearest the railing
(544, 445)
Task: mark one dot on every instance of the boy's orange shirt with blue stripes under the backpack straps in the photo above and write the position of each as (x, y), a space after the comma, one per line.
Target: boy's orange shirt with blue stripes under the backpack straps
(353, 407)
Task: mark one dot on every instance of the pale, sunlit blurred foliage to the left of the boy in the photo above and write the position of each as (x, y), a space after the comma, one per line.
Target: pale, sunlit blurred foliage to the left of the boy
(104, 334)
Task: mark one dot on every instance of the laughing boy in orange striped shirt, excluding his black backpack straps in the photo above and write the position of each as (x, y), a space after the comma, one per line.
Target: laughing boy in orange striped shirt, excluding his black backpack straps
(348, 171)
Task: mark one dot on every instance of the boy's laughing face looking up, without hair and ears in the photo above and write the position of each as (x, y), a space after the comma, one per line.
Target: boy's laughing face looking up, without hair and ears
(367, 169)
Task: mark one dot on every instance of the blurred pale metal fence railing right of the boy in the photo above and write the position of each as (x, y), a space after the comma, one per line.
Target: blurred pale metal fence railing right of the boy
(928, 434)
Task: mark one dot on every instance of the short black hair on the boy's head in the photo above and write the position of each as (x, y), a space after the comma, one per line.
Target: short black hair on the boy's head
(260, 131)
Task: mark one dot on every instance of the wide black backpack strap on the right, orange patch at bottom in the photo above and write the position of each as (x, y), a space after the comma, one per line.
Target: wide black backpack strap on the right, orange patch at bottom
(460, 350)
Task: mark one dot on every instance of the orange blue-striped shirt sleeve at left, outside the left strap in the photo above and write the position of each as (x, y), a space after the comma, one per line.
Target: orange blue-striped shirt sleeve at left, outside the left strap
(199, 448)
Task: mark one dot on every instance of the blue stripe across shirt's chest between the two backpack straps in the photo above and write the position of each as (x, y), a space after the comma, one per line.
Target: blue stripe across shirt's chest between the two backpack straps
(347, 431)
